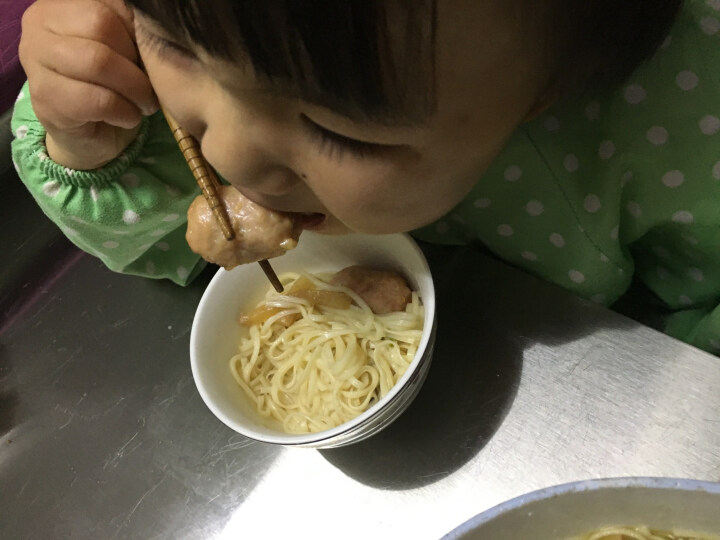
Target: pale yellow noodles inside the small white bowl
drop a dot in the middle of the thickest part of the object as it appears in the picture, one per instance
(314, 367)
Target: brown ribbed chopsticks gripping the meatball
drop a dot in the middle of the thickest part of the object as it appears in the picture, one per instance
(208, 182)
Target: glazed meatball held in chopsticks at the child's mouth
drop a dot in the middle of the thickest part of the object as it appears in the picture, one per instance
(259, 233)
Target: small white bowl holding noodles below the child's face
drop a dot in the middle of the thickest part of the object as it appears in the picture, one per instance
(215, 333)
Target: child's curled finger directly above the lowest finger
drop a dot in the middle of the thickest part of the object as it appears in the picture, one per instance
(96, 63)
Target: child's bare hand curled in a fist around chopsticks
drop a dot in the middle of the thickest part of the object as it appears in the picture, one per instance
(86, 87)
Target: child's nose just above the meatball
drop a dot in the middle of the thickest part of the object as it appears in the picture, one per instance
(248, 163)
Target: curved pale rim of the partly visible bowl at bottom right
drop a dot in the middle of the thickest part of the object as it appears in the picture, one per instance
(579, 486)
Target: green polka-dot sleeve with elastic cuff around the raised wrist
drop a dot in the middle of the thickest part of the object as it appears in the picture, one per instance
(130, 213)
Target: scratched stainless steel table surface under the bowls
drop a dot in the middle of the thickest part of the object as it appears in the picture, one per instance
(103, 434)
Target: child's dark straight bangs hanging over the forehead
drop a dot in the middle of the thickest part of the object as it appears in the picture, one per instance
(370, 59)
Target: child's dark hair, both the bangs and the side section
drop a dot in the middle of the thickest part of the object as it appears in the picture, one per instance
(375, 58)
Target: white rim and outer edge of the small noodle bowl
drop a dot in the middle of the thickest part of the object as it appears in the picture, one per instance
(317, 439)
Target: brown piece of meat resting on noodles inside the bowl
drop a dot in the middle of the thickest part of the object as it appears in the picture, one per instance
(384, 291)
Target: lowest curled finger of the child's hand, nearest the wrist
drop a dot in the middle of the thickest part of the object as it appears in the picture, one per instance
(67, 104)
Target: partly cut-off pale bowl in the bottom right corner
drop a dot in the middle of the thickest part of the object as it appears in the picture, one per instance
(570, 510)
